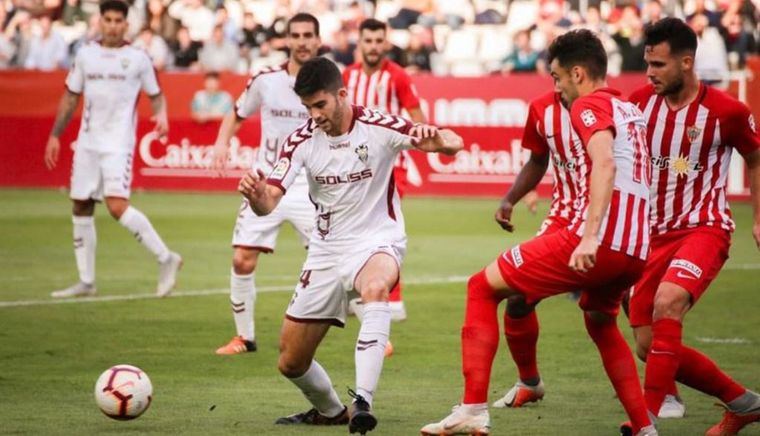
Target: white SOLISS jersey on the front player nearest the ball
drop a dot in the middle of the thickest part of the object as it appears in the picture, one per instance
(350, 183)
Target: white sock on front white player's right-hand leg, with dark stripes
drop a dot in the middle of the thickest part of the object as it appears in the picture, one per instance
(370, 347)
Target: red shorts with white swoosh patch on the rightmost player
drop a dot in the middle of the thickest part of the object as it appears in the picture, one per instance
(689, 258)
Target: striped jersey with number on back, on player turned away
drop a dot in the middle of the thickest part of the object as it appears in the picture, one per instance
(625, 227)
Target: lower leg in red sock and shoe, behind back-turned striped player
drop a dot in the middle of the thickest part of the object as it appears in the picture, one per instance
(521, 332)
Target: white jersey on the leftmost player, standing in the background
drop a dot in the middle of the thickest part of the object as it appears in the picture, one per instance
(110, 79)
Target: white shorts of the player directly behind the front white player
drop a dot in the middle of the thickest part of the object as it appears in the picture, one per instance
(260, 232)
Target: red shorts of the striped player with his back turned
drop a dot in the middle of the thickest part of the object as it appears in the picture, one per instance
(539, 269)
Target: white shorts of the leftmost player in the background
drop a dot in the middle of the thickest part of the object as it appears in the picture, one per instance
(95, 174)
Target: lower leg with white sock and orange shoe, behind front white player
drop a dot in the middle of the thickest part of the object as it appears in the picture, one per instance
(242, 301)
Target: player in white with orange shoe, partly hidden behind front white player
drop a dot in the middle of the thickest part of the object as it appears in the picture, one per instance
(269, 92)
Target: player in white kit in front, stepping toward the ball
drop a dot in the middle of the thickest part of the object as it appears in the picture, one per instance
(359, 240)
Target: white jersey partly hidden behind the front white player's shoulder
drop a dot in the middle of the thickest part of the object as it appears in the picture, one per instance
(270, 91)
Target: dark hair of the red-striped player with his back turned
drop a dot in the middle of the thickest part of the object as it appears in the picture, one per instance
(580, 48)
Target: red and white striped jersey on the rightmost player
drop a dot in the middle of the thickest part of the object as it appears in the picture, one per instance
(691, 152)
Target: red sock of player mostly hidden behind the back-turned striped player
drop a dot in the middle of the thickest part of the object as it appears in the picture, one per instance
(522, 336)
